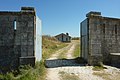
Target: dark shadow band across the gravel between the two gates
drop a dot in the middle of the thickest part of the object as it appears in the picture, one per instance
(64, 62)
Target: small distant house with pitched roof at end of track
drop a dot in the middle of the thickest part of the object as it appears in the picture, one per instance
(63, 37)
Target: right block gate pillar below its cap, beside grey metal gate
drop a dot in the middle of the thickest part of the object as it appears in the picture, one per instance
(95, 40)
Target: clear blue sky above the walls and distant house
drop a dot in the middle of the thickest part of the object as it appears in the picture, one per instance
(64, 16)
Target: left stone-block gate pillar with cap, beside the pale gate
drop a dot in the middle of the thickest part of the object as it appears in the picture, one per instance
(25, 33)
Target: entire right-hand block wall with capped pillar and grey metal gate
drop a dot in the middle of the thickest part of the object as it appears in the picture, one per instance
(100, 38)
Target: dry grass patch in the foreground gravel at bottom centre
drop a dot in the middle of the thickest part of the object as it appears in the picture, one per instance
(67, 76)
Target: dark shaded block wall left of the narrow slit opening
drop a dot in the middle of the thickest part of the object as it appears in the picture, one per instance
(7, 37)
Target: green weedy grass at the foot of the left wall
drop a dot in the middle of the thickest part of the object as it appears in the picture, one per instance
(26, 73)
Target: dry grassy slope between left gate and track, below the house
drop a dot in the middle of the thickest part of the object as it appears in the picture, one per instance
(49, 46)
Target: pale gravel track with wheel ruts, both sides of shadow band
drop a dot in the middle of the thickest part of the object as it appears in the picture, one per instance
(81, 72)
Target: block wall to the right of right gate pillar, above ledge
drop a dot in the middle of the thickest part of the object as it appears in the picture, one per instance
(111, 38)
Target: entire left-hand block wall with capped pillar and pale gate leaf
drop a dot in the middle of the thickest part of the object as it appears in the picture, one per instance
(20, 38)
